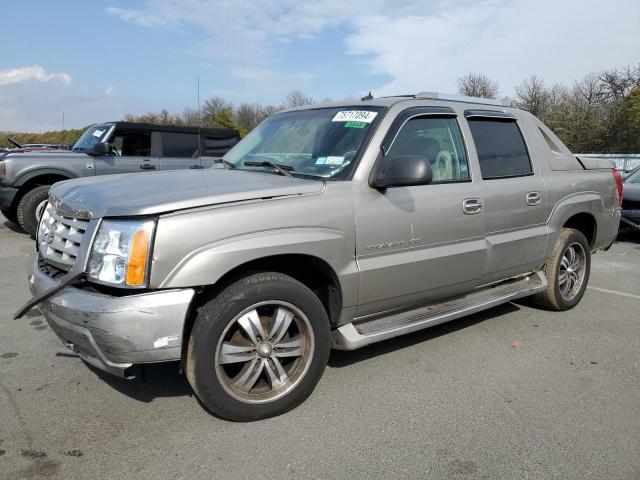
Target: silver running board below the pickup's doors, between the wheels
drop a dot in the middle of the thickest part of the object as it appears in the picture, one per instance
(361, 333)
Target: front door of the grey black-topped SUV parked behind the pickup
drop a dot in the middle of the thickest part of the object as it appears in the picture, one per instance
(130, 153)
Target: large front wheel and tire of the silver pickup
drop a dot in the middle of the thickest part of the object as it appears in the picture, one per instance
(258, 348)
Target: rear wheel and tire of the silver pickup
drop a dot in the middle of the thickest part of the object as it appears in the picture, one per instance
(566, 279)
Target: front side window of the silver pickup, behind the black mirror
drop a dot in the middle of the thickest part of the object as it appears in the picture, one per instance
(440, 141)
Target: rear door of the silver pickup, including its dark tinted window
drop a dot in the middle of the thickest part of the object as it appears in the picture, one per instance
(514, 194)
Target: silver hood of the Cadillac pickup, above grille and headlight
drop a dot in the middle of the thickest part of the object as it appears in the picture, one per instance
(151, 193)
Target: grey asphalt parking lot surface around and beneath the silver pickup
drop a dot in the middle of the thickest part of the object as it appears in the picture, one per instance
(513, 392)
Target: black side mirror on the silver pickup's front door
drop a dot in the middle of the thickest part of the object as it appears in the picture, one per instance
(402, 171)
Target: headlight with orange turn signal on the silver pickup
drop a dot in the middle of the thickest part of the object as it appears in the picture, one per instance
(120, 253)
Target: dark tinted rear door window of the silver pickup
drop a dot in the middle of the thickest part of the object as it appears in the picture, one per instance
(501, 148)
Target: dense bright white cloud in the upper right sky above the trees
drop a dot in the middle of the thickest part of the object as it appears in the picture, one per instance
(559, 41)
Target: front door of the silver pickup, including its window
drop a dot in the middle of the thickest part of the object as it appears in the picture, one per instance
(418, 244)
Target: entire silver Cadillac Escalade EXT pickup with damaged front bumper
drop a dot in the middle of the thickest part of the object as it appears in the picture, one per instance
(330, 226)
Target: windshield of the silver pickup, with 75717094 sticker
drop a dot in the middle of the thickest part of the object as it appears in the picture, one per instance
(320, 142)
